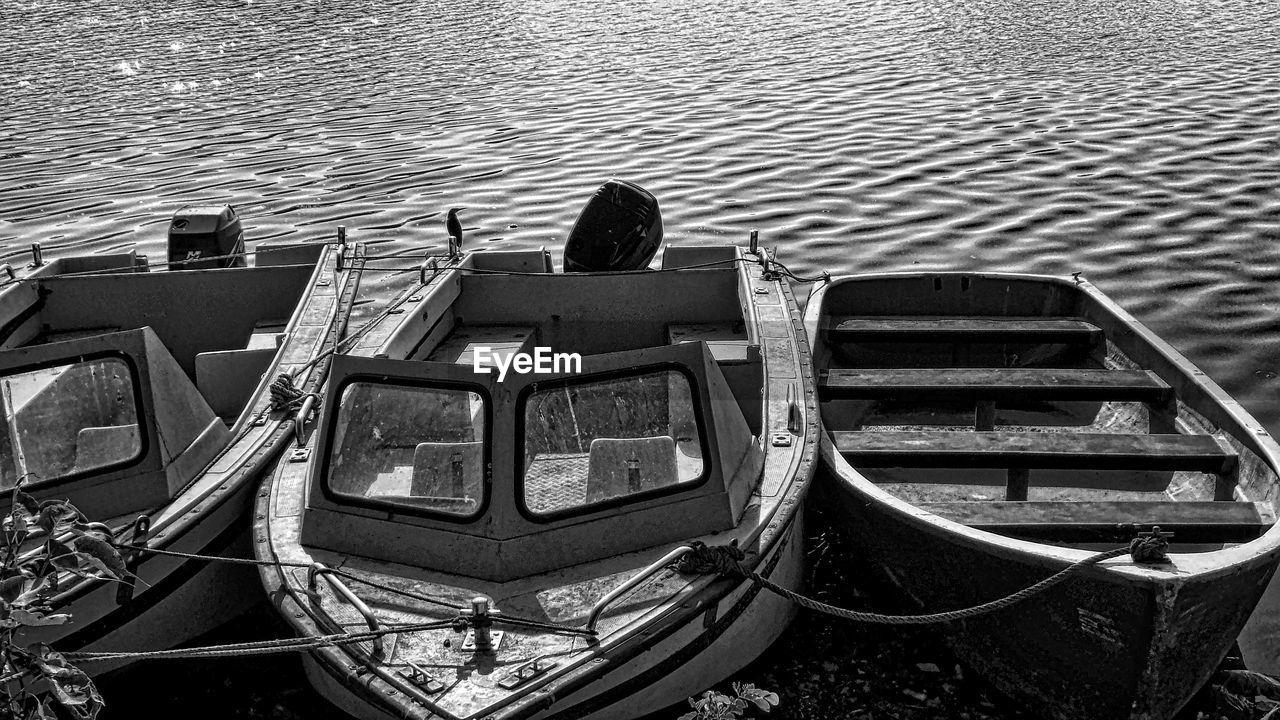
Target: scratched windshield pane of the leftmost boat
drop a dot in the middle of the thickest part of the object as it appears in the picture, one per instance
(68, 420)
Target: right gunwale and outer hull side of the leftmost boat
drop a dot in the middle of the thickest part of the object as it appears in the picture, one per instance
(176, 596)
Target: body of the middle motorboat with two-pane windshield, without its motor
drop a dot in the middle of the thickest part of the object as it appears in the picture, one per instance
(630, 634)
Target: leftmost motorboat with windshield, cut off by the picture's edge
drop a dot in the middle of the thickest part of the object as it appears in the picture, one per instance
(144, 397)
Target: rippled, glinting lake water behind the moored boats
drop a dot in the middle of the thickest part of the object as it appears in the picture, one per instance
(1131, 140)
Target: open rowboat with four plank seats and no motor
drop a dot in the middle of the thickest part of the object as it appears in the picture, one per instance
(986, 431)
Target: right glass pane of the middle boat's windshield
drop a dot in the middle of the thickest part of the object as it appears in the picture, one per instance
(593, 443)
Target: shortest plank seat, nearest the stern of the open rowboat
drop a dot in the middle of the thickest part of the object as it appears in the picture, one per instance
(963, 330)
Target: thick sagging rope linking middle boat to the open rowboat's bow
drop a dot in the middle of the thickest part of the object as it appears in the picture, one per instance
(725, 560)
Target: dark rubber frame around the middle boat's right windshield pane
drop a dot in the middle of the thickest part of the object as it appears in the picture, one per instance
(630, 499)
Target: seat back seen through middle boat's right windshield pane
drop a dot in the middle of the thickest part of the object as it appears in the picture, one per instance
(620, 467)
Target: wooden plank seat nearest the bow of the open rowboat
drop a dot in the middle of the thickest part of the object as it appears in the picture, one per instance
(1113, 521)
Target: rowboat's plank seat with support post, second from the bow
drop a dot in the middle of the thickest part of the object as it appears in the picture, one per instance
(1023, 452)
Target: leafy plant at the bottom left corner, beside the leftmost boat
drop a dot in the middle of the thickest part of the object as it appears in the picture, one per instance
(43, 543)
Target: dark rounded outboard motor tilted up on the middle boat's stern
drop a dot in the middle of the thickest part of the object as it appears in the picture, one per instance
(619, 230)
